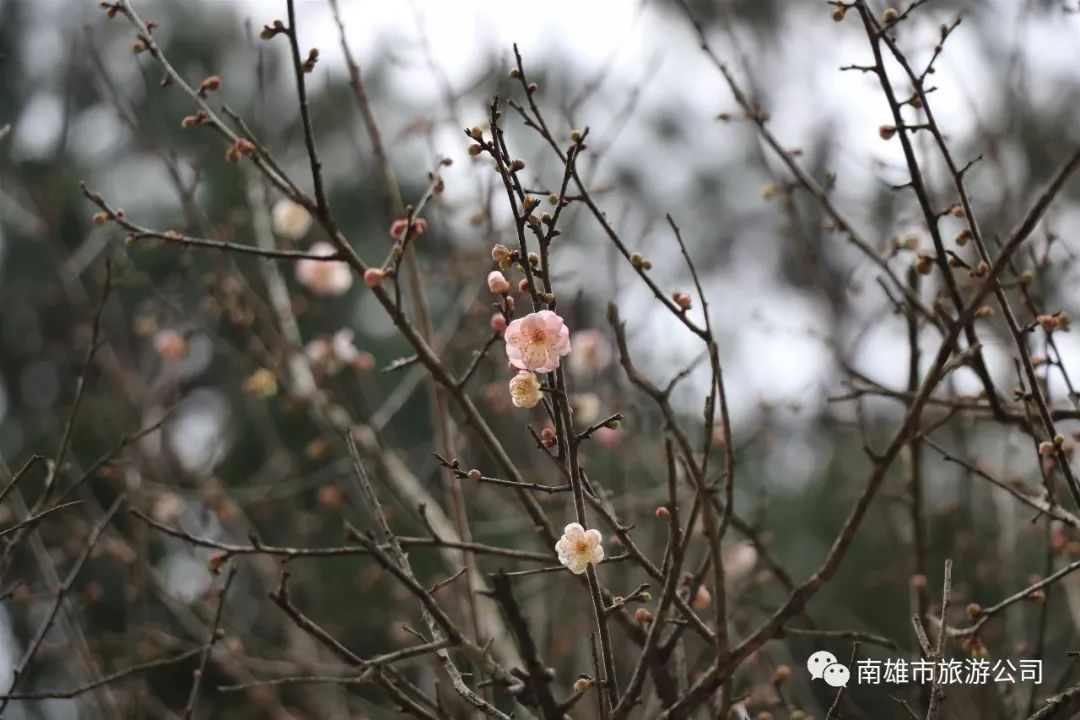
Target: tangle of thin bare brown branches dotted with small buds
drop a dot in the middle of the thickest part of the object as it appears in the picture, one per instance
(655, 651)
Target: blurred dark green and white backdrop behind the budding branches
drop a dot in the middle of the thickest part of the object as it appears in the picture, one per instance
(795, 305)
